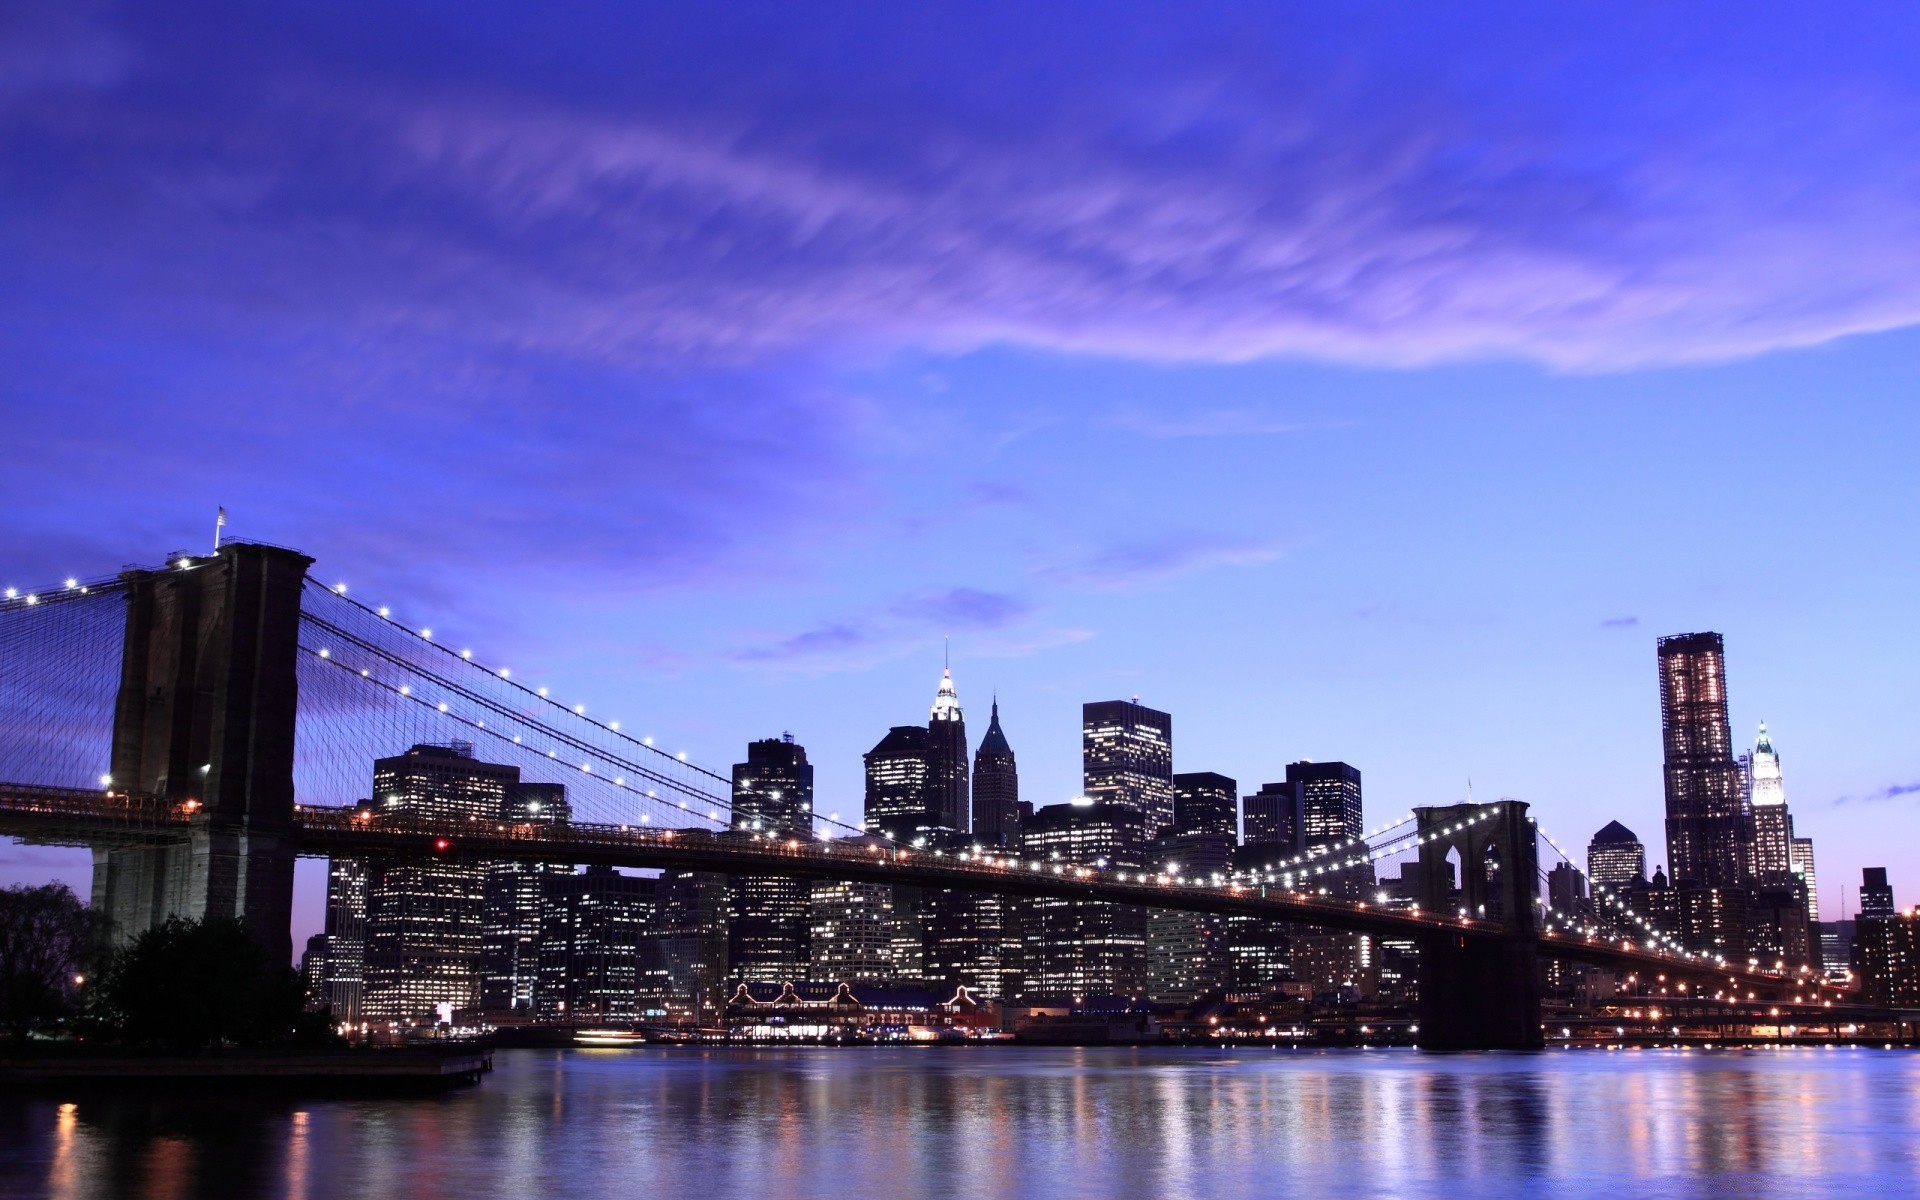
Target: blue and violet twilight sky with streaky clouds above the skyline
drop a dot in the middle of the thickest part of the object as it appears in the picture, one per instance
(1353, 381)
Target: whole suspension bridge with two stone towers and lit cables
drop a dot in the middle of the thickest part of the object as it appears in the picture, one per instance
(204, 723)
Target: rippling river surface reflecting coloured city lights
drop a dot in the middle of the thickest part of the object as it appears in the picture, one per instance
(1015, 1122)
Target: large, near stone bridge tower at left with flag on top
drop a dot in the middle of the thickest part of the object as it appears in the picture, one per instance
(206, 713)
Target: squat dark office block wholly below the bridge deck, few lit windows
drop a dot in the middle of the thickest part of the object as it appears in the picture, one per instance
(590, 959)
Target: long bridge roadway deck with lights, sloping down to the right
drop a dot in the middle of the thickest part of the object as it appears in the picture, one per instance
(87, 819)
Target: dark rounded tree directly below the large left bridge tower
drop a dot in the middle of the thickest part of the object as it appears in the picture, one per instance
(203, 984)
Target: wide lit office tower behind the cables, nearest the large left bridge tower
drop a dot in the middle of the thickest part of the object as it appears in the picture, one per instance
(425, 919)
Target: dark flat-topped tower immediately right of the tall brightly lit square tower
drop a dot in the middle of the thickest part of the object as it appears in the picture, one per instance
(1188, 953)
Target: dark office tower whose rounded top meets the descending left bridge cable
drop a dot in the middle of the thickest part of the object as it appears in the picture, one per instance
(769, 924)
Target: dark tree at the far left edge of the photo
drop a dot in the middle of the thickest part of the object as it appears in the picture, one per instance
(43, 944)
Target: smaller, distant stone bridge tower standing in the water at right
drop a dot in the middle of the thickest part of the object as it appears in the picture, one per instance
(1479, 994)
